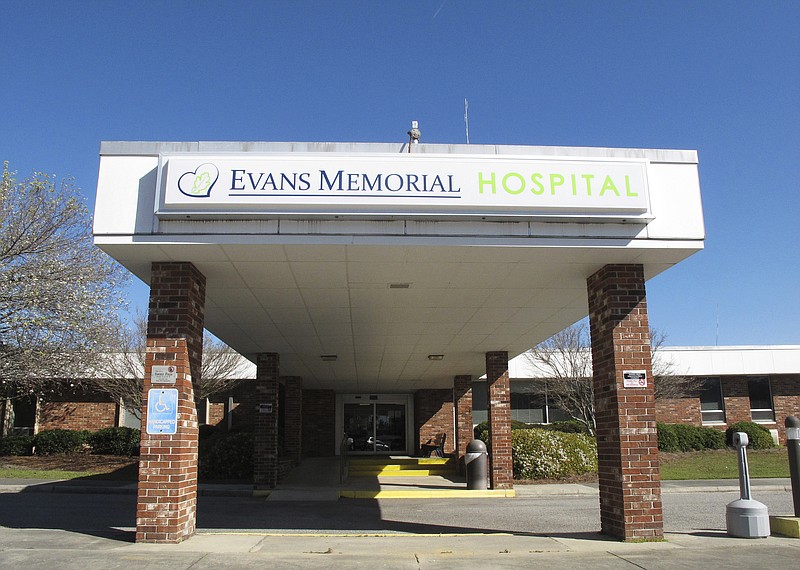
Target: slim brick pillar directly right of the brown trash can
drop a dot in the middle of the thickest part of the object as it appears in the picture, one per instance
(501, 474)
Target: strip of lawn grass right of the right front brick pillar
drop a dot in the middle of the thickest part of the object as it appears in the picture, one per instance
(723, 464)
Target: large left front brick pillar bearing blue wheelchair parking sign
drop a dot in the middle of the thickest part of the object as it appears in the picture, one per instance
(167, 491)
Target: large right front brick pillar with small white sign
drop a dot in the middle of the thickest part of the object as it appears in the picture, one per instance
(627, 442)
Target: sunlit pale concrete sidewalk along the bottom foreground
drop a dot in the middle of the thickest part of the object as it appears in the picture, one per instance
(65, 550)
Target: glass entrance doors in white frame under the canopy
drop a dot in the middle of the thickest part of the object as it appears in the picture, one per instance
(377, 424)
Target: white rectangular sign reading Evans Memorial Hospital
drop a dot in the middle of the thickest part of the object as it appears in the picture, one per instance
(480, 185)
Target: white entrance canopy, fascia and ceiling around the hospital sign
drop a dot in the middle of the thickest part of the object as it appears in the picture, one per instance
(383, 295)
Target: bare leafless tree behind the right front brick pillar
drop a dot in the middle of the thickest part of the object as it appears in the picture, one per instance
(565, 363)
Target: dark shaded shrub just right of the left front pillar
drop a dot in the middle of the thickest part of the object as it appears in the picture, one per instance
(226, 456)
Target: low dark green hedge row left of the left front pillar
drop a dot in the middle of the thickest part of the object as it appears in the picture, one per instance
(107, 441)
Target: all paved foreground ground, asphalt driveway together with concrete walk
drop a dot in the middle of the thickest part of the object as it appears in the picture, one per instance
(71, 530)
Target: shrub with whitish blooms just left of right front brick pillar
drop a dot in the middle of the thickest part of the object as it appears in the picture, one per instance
(546, 454)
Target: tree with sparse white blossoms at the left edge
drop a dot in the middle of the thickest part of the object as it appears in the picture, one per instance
(59, 294)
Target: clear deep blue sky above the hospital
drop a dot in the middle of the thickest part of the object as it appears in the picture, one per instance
(719, 77)
